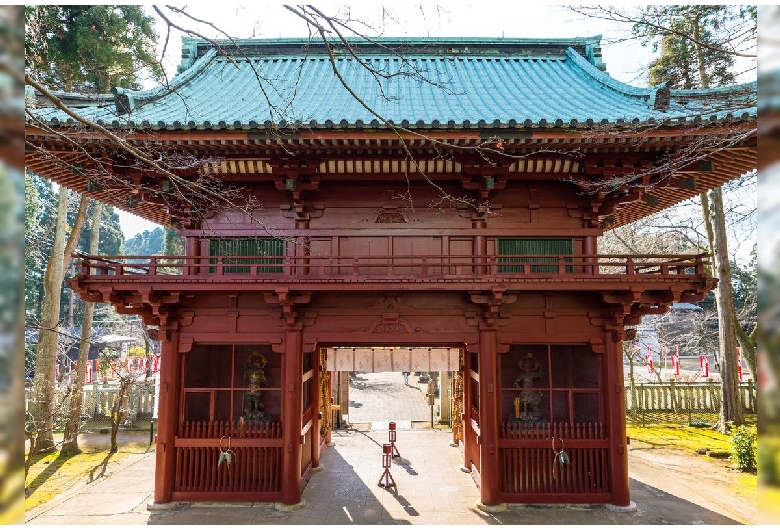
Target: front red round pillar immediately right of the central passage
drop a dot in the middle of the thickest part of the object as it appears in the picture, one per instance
(489, 390)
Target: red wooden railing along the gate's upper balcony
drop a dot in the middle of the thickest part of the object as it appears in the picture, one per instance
(313, 269)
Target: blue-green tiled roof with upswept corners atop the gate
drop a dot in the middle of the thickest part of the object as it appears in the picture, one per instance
(418, 83)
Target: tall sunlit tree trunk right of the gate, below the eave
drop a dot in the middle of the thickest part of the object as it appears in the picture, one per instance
(726, 358)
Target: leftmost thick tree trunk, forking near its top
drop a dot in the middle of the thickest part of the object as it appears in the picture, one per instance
(44, 383)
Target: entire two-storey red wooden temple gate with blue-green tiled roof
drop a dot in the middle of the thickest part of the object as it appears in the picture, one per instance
(473, 228)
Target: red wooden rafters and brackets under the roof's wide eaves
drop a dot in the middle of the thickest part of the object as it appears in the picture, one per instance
(618, 161)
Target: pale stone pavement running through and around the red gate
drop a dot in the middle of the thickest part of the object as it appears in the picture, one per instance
(430, 487)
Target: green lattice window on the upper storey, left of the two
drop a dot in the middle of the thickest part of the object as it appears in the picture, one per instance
(239, 246)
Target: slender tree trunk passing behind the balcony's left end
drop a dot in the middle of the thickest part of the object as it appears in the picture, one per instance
(70, 439)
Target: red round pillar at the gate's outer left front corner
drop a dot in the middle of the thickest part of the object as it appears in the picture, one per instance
(167, 419)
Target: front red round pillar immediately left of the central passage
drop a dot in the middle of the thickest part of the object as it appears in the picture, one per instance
(291, 417)
